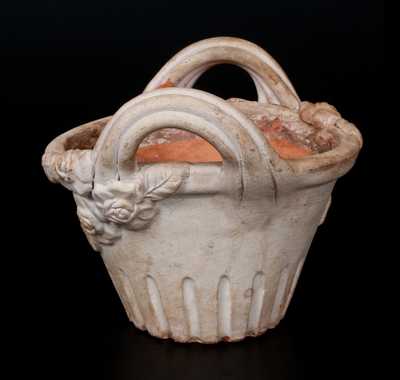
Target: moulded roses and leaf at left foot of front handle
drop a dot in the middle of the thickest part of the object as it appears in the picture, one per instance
(129, 203)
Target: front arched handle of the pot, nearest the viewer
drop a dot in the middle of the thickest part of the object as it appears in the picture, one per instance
(248, 161)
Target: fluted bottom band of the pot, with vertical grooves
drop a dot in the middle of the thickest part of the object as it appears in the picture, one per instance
(189, 312)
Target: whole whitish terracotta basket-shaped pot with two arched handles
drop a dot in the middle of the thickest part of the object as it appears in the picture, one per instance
(209, 248)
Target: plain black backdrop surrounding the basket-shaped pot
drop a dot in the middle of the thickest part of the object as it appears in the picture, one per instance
(64, 63)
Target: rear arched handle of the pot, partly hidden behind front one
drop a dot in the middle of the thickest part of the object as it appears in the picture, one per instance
(189, 64)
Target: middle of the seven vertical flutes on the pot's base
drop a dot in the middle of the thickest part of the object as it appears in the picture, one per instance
(224, 308)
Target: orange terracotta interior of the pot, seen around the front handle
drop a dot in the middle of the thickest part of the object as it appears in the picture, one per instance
(289, 136)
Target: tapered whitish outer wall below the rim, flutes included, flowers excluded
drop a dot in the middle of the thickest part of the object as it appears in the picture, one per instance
(207, 271)
